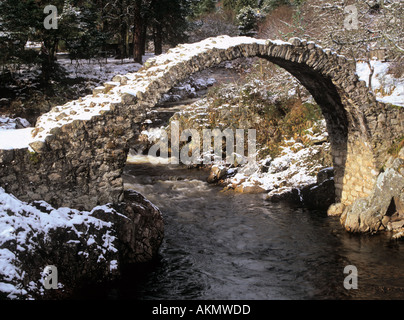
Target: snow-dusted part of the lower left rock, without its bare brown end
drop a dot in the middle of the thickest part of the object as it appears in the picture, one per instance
(32, 236)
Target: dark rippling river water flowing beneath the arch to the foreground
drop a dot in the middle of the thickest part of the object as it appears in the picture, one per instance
(238, 246)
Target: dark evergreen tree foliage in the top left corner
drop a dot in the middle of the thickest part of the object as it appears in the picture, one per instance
(76, 25)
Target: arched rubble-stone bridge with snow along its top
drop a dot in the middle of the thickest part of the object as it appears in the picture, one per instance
(77, 152)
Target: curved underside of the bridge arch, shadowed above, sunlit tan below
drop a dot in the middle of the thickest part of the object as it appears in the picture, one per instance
(353, 161)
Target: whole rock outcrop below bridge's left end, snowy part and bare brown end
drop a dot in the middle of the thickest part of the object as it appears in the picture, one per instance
(85, 247)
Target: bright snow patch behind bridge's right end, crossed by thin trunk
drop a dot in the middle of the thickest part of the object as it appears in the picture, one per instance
(387, 88)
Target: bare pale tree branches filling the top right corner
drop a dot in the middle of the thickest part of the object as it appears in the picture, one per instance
(379, 25)
